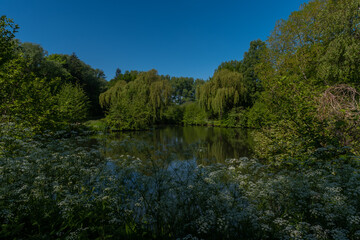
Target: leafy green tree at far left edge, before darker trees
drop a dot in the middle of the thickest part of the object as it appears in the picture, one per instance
(24, 97)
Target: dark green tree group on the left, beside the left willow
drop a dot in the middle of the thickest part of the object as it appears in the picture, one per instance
(42, 91)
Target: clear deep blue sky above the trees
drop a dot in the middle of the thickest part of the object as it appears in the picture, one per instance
(176, 37)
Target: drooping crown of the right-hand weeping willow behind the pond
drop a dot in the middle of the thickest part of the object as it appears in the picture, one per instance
(225, 90)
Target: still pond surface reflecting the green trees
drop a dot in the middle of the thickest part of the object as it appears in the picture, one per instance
(204, 145)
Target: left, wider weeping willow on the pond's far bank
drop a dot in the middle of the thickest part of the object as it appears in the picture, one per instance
(137, 104)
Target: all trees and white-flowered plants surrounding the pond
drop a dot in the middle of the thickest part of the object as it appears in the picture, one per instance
(299, 89)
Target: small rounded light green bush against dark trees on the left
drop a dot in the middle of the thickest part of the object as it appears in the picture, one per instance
(73, 103)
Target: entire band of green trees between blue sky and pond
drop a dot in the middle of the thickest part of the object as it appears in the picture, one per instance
(300, 87)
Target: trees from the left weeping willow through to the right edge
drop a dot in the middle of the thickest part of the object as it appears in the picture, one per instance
(300, 87)
